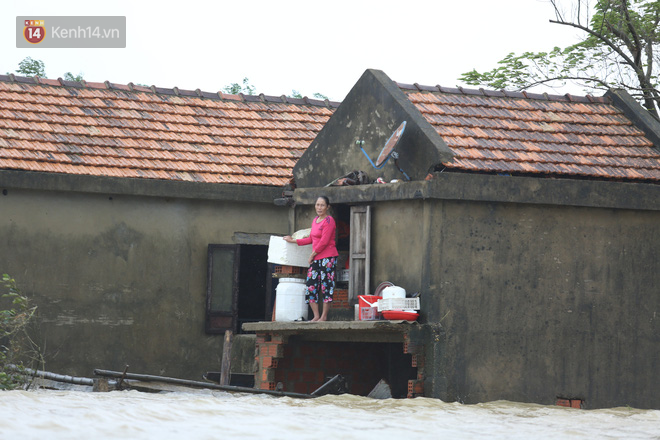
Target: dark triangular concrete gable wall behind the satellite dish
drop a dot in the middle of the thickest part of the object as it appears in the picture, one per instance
(370, 113)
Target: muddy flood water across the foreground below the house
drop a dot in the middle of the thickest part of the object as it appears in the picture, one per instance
(52, 415)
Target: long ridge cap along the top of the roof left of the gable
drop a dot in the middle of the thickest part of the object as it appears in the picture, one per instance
(174, 91)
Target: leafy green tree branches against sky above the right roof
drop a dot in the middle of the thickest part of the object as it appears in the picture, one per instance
(619, 50)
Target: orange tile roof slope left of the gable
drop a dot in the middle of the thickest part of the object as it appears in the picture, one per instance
(105, 129)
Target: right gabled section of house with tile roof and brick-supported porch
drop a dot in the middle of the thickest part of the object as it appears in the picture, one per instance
(530, 226)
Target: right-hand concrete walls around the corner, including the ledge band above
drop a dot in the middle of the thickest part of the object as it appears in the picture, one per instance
(534, 288)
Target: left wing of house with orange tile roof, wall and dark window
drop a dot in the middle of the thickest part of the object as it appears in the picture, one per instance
(124, 209)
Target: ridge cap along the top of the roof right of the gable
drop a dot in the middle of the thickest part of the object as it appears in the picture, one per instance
(459, 90)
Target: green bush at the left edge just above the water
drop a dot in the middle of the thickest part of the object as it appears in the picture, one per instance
(16, 346)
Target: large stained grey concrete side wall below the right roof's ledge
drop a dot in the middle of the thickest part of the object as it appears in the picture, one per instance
(542, 301)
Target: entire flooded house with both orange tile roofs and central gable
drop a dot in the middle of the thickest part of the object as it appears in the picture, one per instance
(528, 224)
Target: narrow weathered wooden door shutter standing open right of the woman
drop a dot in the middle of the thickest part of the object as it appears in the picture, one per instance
(359, 252)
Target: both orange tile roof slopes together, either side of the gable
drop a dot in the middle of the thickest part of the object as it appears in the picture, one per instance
(132, 131)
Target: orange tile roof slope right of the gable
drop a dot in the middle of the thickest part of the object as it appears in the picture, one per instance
(521, 133)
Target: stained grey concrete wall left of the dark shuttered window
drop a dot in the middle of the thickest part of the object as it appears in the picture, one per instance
(121, 279)
